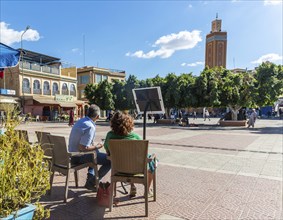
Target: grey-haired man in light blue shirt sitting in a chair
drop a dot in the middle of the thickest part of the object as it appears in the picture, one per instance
(82, 139)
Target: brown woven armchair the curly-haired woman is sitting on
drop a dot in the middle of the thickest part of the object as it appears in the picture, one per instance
(129, 164)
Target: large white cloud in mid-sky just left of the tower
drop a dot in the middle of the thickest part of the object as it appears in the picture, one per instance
(169, 44)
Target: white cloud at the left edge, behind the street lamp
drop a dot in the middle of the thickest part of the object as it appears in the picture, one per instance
(9, 36)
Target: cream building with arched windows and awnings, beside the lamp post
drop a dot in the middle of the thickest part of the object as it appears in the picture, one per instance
(42, 86)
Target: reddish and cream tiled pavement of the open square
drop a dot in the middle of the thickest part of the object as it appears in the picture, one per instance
(205, 172)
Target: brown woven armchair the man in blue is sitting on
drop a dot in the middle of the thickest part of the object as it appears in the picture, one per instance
(61, 162)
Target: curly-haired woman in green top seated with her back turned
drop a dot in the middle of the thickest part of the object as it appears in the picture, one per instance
(122, 126)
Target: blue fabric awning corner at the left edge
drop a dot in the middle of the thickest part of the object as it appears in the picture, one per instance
(9, 57)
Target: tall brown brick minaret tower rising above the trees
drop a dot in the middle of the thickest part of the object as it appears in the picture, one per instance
(216, 46)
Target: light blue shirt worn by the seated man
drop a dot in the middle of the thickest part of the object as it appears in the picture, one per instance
(83, 132)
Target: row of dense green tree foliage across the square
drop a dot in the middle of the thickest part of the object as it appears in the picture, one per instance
(216, 87)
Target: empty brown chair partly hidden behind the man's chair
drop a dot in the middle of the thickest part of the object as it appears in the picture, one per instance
(43, 140)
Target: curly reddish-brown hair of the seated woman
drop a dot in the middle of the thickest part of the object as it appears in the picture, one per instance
(122, 124)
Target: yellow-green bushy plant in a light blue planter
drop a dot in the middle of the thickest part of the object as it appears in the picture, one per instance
(24, 175)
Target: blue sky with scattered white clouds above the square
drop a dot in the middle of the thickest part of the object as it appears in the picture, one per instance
(144, 38)
